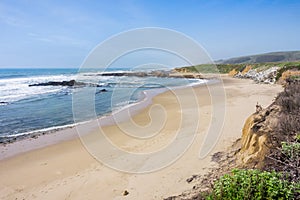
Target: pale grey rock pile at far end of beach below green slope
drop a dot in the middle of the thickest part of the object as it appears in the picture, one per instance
(266, 76)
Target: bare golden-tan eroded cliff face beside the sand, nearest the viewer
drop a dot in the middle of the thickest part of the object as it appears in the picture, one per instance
(257, 136)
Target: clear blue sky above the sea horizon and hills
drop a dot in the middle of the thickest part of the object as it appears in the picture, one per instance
(61, 33)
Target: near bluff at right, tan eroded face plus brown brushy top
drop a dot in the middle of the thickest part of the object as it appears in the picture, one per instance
(265, 130)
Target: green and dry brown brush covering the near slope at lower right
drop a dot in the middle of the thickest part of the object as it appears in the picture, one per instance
(283, 158)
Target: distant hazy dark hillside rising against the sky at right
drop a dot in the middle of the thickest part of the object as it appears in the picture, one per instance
(287, 56)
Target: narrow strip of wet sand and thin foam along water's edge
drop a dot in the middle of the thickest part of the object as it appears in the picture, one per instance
(32, 140)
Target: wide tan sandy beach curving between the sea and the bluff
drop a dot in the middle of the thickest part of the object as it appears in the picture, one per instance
(64, 169)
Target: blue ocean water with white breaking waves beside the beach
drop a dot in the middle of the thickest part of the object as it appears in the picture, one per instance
(25, 109)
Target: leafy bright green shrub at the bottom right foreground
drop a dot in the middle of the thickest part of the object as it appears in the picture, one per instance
(252, 184)
